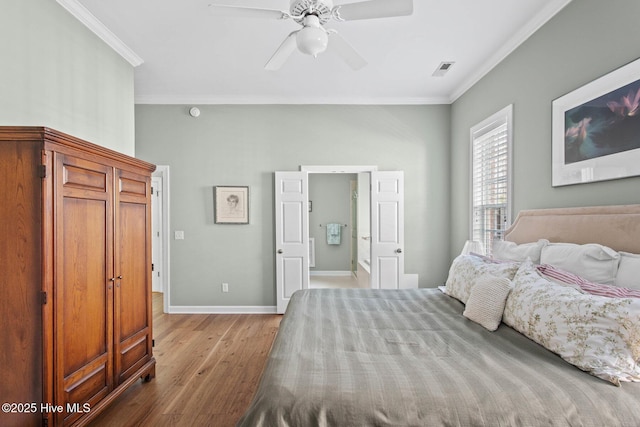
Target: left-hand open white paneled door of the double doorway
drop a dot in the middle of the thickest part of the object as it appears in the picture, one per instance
(292, 235)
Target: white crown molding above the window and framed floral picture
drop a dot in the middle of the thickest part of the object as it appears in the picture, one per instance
(512, 44)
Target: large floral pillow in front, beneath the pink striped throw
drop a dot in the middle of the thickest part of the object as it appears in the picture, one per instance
(596, 334)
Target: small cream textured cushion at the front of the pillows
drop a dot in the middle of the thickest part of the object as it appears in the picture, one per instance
(486, 301)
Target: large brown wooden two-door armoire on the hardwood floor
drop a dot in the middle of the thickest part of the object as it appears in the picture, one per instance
(75, 277)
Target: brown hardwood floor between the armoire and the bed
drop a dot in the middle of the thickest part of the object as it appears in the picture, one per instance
(208, 367)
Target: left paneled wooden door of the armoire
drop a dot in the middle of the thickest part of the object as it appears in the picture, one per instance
(83, 224)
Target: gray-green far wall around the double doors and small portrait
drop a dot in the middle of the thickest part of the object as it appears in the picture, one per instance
(244, 145)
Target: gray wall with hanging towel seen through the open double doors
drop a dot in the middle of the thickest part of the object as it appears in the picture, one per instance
(331, 197)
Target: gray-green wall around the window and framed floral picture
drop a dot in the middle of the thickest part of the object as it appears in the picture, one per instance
(586, 40)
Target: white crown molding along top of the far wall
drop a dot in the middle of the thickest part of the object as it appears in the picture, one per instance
(239, 100)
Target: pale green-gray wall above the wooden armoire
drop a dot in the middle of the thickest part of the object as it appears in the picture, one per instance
(57, 73)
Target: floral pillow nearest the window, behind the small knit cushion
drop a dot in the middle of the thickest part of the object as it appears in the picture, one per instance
(467, 269)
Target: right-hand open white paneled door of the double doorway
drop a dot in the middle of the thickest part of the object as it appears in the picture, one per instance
(387, 229)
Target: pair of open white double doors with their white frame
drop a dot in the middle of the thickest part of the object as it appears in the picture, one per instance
(386, 201)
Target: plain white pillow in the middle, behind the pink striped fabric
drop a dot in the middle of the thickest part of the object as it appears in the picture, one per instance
(594, 262)
